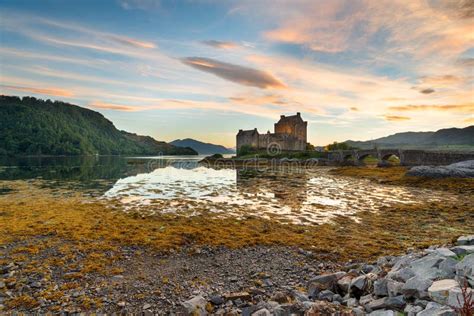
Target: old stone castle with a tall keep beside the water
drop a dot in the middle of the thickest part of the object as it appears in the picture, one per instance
(289, 135)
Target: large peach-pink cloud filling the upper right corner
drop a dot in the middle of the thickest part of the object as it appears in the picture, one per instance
(389, 29)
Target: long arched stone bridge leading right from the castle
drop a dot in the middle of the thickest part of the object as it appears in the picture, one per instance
(407, 157)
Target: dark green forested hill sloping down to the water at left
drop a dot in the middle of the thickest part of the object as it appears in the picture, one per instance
(30, 126)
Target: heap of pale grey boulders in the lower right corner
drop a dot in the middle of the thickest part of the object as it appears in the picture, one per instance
(436, 281)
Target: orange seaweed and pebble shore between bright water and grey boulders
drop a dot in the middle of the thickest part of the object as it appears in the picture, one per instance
(70, 253)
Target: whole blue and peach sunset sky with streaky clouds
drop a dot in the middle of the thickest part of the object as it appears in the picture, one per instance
(355, 69)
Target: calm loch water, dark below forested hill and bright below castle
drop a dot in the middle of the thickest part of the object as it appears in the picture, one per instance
(181, 185)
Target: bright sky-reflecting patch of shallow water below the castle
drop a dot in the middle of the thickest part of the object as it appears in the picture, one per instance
(300, 196)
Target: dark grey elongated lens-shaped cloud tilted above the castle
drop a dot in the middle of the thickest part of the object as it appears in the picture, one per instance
(235, 73)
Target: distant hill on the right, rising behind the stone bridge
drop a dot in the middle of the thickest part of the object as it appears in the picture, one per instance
(443, 138)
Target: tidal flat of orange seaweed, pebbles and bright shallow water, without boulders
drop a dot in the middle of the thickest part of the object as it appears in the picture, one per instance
(109, 247)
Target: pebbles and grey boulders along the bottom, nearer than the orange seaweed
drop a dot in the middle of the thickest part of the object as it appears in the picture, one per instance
(257, 281)
